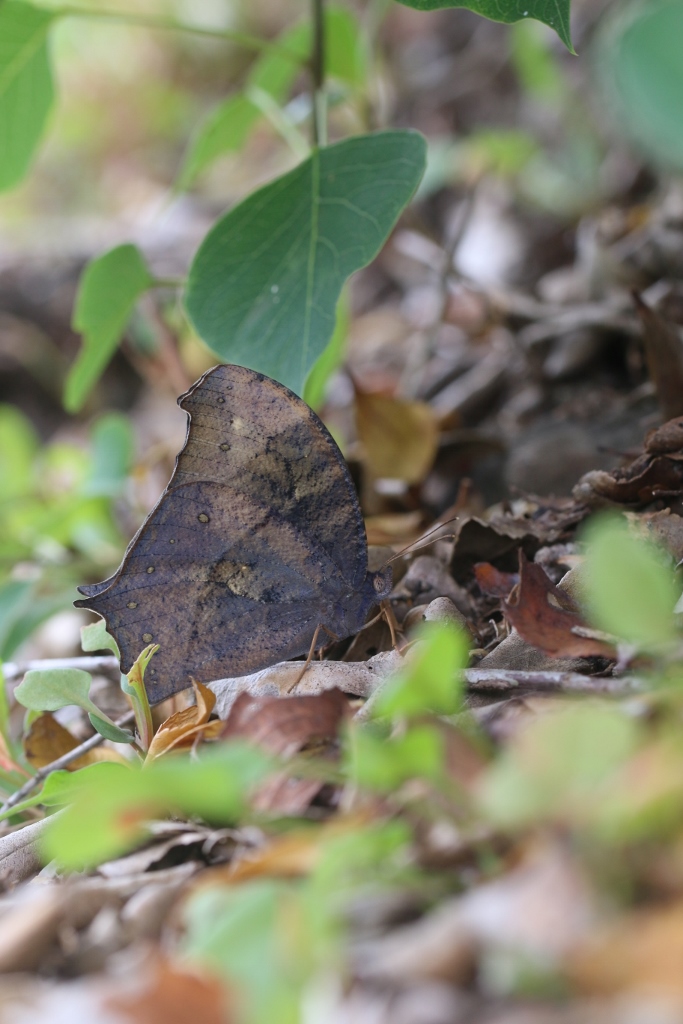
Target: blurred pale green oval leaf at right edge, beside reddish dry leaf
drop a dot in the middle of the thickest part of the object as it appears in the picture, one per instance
(630, 589)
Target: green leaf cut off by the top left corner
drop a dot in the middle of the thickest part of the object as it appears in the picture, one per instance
(27, 91)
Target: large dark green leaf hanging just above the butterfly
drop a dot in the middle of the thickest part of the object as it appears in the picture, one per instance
(265, 285)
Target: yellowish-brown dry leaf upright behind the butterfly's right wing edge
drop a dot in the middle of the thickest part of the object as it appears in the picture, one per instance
(400, 439)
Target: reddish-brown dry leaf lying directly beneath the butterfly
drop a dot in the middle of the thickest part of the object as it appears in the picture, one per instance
(285, 726)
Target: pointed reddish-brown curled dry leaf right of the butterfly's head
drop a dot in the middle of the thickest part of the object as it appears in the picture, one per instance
(544, 625)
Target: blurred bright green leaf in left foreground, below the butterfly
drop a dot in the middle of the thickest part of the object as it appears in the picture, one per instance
(109, 813)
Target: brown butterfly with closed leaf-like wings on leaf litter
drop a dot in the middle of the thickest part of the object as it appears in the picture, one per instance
(255, 546)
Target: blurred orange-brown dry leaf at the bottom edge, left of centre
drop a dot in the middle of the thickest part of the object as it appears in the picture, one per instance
(175, 996)
